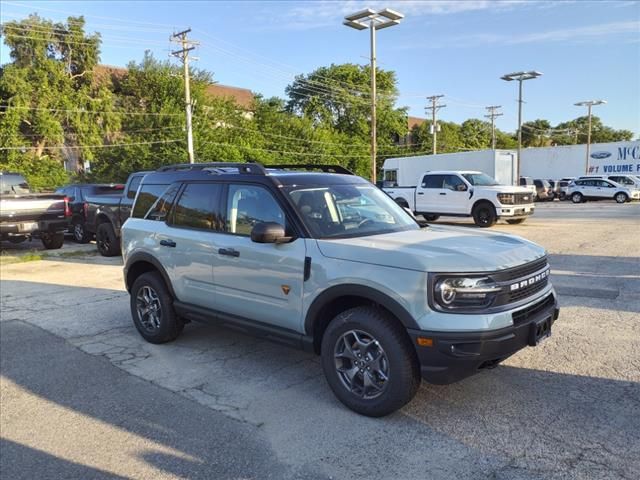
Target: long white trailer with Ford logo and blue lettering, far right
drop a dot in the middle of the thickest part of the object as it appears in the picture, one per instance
(571, 161)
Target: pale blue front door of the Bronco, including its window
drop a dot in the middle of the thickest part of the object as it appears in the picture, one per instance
(258, 281)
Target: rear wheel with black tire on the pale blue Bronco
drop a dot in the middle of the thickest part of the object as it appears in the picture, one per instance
(168, 326)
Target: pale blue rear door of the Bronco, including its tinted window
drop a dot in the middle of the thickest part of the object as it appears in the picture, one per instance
(186, 243)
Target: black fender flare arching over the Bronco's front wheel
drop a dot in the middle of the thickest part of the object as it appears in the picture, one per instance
(355, 290)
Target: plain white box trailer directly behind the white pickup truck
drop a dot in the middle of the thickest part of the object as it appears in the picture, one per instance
(405, 171)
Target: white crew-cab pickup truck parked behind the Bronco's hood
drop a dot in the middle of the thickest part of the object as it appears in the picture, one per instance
(465, 194)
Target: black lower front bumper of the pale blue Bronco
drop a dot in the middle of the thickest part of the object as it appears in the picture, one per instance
(454, 356)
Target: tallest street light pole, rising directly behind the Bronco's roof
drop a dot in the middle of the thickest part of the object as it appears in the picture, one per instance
(373, 21)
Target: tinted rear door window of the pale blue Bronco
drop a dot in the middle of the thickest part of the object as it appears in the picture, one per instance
(198, 207)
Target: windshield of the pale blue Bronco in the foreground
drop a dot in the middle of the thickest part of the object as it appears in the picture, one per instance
(339, 211)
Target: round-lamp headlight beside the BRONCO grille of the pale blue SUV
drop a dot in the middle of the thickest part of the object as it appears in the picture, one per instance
(460, 293)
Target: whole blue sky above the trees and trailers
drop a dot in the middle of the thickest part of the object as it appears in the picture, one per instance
(585, 49)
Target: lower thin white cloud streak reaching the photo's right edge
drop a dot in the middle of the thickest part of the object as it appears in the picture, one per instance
(581, 34)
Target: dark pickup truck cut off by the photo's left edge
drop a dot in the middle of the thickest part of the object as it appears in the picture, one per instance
(25, 215)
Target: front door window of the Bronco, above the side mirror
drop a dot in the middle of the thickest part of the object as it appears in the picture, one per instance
(248, 205)
